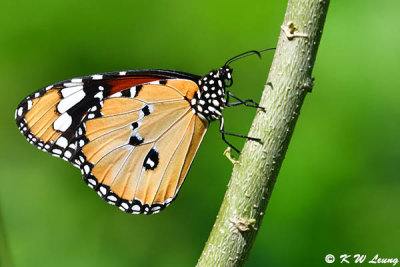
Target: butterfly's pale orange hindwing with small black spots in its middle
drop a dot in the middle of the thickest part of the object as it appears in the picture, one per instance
(136, 150)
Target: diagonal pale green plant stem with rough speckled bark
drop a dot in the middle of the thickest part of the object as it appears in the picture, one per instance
(253, 178)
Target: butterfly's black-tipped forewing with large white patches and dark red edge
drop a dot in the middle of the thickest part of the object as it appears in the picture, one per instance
(48, 118)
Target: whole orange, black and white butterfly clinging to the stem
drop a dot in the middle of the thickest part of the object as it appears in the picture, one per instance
(133, 134)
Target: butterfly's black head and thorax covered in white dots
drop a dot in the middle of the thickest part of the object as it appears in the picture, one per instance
(209, 100)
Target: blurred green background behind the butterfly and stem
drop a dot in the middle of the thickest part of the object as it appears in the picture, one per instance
(338, 190)
